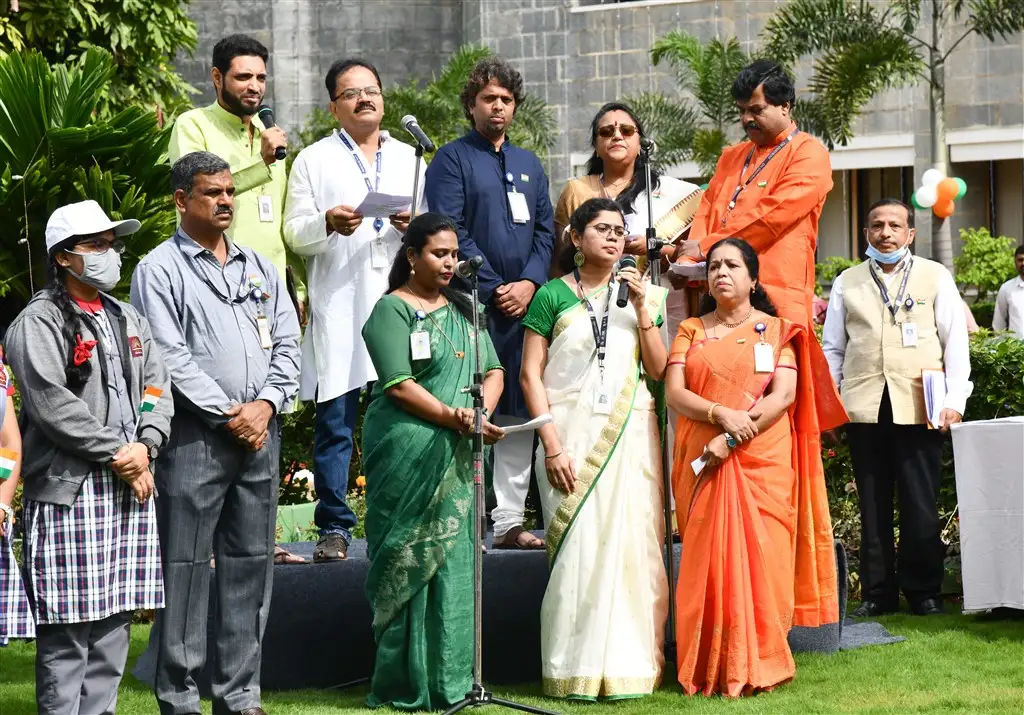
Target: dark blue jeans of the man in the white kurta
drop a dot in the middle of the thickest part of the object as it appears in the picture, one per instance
(333, 443)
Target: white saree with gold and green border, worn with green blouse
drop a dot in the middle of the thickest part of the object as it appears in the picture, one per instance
(603, 621)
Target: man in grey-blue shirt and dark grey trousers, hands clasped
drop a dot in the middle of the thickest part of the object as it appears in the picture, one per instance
(230, 337)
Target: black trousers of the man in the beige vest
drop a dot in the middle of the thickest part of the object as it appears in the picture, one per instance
(910, 459)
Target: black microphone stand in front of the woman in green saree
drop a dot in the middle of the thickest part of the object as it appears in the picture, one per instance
(479, 695)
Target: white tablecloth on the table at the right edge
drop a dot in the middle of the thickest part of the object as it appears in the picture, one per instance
(990, 460)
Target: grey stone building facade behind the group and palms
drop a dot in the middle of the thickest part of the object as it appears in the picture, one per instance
(577, 55)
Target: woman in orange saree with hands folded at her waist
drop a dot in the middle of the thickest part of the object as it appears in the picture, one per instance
(758, 555)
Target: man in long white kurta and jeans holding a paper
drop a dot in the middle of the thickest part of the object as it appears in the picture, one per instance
(349, 258)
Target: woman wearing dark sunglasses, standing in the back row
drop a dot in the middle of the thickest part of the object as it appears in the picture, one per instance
(616, 171)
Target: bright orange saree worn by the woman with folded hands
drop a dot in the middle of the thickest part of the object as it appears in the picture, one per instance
(758, 555)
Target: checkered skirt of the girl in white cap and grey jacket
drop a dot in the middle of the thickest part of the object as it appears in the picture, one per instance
(98, 558)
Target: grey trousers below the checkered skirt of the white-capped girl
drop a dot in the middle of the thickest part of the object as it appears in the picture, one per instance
(79, 665)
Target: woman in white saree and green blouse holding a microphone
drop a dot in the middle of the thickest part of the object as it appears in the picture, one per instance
(587, 362)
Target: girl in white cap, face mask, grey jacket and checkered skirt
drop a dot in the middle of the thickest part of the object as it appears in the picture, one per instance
(94, 419)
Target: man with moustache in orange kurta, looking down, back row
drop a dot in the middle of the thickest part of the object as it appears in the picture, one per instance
(770, 191)
